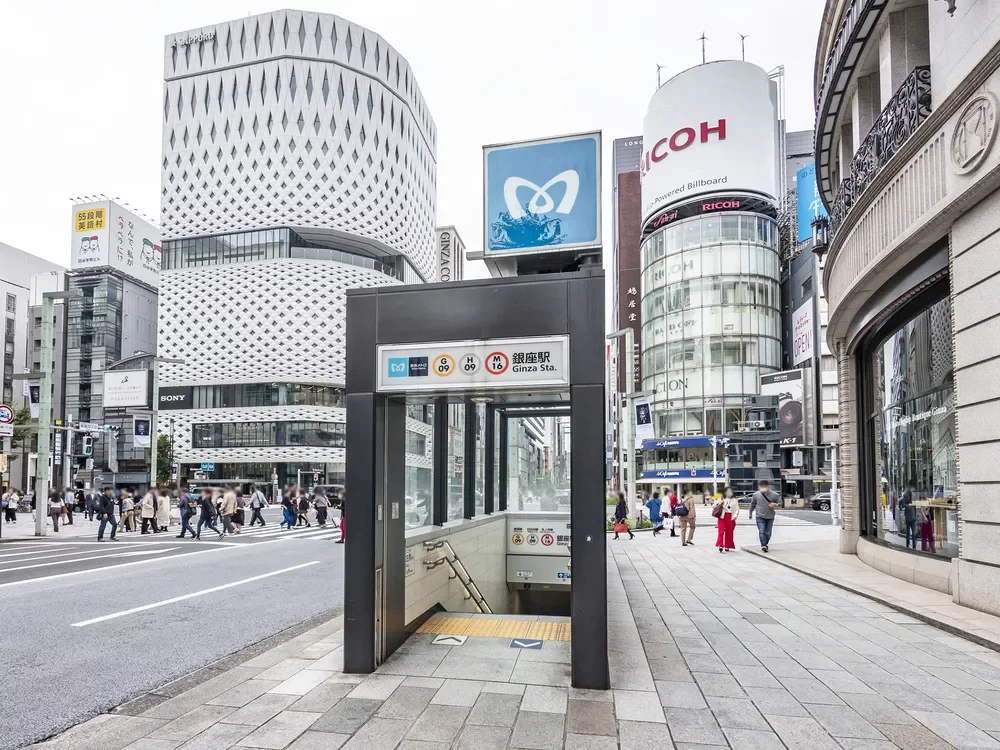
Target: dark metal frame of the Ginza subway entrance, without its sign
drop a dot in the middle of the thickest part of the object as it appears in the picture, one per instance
(569, 304)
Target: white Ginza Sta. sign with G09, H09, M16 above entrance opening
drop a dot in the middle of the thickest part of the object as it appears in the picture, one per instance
(541, 361)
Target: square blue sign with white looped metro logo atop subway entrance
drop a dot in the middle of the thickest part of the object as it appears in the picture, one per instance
(542, 195)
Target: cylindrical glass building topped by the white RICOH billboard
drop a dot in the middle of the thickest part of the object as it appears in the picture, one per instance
(710, 269)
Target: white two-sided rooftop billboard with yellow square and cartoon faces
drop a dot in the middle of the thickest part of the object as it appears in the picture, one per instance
(107, 235)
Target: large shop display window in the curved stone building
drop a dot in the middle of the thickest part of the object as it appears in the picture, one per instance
(910, 482)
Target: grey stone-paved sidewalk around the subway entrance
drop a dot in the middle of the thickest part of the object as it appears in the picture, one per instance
(706, 650)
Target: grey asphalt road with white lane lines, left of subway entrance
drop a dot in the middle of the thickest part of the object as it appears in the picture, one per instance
(74, 645)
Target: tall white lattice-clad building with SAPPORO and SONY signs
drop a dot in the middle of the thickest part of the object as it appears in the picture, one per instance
(298, 162)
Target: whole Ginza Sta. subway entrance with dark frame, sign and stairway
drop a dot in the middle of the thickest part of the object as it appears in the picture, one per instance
(524, 357)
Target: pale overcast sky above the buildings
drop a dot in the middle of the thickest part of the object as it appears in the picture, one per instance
(81, 111)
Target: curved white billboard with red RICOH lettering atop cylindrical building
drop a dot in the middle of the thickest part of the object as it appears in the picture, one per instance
(711, 128)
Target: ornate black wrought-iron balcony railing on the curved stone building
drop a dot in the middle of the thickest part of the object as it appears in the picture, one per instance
(909, 106)
